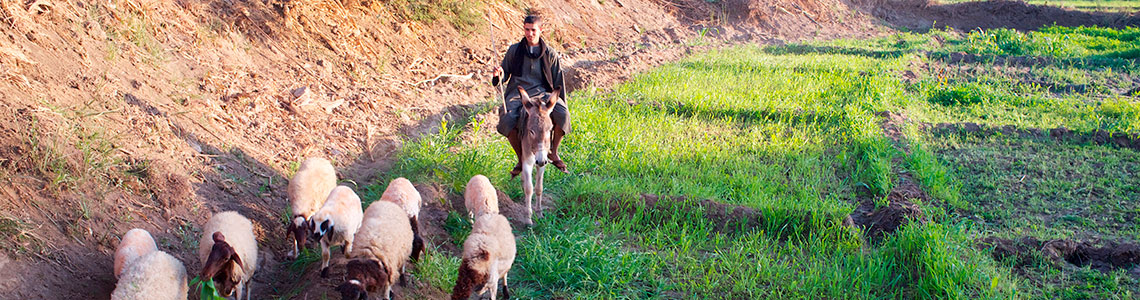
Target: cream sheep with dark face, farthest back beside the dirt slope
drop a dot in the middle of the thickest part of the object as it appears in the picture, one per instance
(307, 193)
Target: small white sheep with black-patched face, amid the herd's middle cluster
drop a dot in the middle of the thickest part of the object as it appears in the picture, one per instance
(337, 224)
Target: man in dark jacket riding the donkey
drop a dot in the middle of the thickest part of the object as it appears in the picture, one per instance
(532, 69)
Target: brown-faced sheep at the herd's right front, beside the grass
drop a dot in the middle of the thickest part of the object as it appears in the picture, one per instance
(487, 257)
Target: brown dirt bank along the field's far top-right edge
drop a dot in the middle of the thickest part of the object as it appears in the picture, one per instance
(999, 14)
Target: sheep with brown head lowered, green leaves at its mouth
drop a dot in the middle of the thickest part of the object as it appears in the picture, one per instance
(229, 252)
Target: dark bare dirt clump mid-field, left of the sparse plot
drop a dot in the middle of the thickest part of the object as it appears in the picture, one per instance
(899, 212)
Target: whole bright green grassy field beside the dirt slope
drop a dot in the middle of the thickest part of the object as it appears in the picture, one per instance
(794, 132)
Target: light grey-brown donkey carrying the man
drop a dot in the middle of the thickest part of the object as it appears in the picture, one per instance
(536, 144)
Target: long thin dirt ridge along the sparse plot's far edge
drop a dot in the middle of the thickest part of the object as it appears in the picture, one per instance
(1060, 134)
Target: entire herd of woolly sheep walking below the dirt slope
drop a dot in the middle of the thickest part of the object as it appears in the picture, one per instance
(380, 241)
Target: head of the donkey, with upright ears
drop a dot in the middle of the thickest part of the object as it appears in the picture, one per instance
(536, 136)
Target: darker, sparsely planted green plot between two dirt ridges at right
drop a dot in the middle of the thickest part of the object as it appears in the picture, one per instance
(1041, 188)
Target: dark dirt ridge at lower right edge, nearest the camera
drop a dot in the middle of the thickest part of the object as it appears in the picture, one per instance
(1104, 256)
